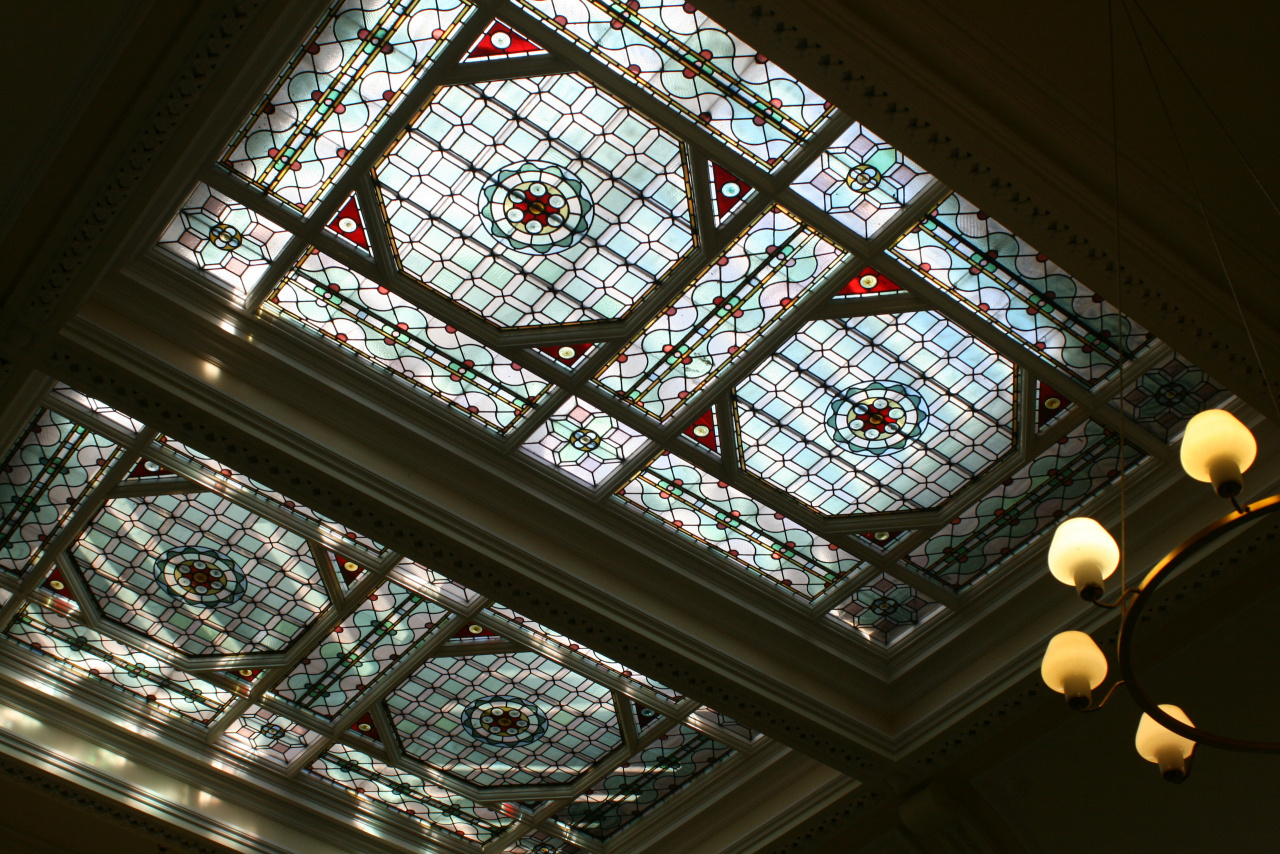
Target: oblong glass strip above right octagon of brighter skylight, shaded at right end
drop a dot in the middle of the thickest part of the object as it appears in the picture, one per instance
(979, 262)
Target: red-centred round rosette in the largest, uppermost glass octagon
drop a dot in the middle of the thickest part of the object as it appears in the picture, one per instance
(537, 208)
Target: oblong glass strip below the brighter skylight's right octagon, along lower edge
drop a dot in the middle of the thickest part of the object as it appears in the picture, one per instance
(720, 517)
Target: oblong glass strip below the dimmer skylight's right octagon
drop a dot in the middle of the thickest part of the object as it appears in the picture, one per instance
(409, 794)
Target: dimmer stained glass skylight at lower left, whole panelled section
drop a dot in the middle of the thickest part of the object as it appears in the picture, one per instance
(200, 597)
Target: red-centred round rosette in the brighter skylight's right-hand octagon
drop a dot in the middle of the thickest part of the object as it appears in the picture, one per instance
(876, 418)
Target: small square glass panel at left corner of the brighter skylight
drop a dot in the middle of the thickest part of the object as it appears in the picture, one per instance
(225, 239)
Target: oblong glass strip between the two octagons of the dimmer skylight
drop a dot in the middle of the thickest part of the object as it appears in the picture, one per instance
(360, 650)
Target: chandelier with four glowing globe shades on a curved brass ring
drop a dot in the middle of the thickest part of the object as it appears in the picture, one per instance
(1217, 449)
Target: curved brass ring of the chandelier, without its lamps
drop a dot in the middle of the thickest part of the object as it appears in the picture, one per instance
(1130, 627)
